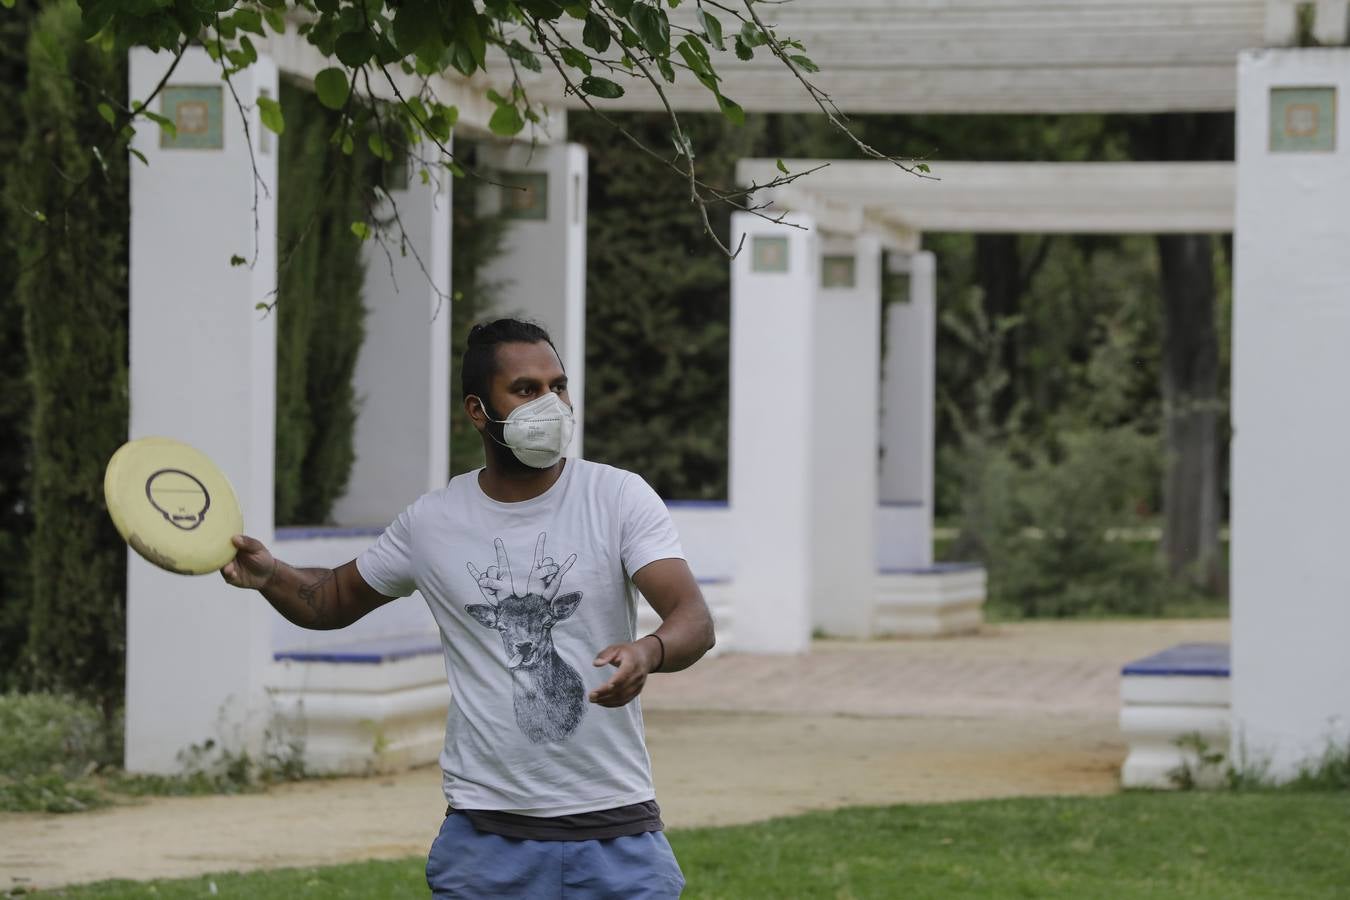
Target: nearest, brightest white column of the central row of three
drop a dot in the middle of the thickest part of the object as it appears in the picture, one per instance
(773, 361)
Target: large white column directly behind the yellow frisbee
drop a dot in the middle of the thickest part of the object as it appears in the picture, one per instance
(203, 370)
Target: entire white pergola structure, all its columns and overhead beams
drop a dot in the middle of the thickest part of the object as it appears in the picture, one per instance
(801, 535)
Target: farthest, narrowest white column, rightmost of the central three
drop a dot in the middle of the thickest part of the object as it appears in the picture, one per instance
(908, 403)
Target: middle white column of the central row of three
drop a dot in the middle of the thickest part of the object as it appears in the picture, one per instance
(843, 420)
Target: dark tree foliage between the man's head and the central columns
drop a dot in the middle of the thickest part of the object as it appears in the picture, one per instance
(658, 312)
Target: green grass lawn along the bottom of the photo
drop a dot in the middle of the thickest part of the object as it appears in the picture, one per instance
(1133, 845)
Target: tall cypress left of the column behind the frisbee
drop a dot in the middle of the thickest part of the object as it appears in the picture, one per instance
(74, 289)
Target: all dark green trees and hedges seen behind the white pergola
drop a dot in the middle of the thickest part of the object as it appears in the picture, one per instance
(1054, 419)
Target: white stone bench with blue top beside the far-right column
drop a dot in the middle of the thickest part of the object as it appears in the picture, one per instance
(1167, 701)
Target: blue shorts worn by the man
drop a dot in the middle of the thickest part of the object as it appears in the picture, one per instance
(466, 864)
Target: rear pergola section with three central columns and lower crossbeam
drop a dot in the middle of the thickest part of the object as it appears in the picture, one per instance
(813, 515)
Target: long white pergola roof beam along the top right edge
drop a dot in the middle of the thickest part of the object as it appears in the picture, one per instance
(996, 56)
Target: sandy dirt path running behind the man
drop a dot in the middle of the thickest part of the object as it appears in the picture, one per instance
(1019, 710)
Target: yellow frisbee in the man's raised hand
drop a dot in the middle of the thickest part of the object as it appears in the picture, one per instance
(172, 505)
